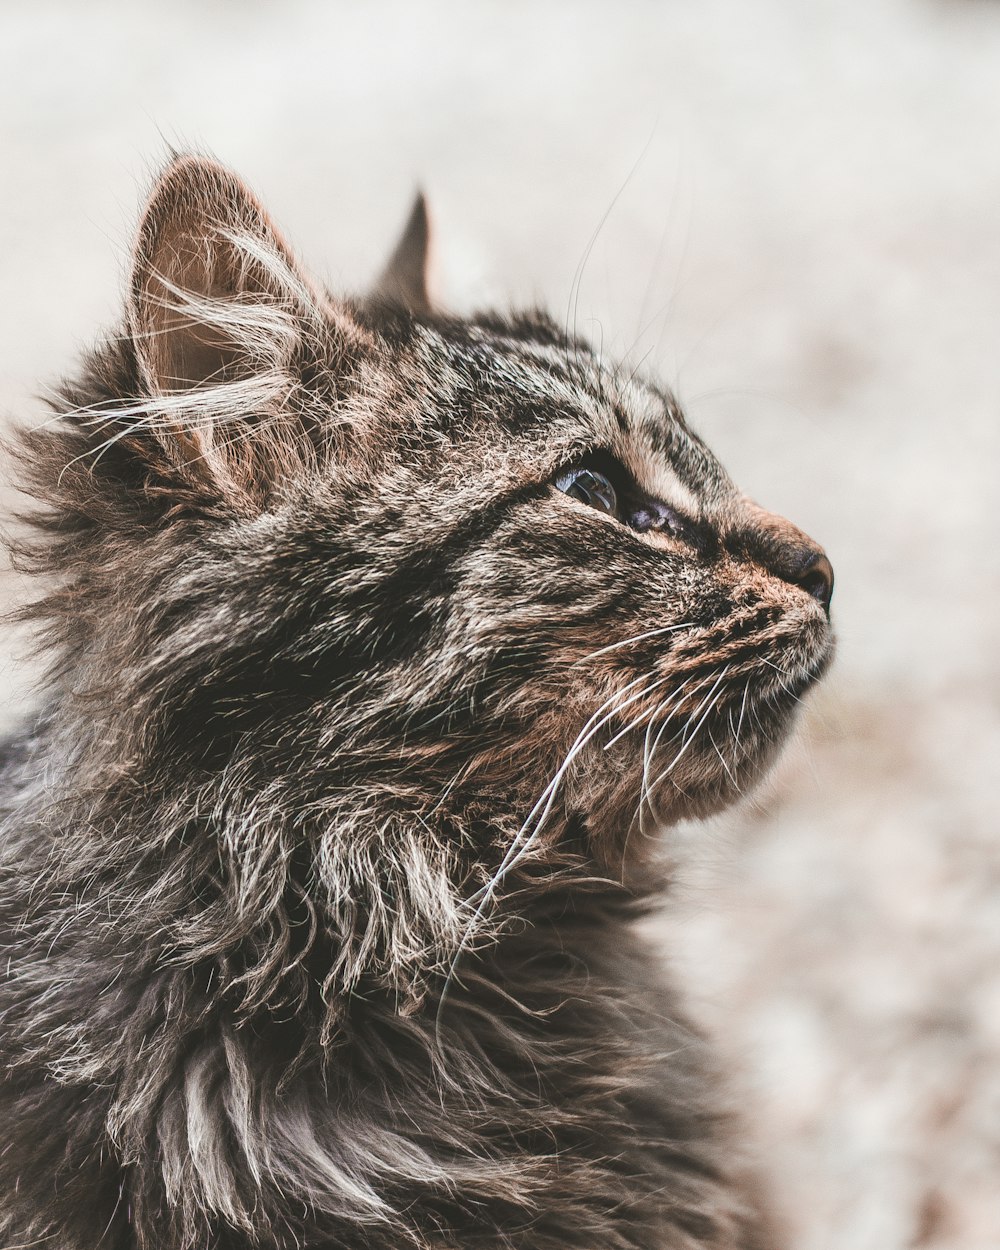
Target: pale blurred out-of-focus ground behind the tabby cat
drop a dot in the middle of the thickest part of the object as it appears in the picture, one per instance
(799, 212)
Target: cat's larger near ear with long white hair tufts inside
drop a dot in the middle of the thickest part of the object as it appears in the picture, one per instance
(221, 316)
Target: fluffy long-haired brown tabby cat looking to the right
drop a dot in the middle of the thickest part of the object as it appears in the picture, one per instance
(382, 648)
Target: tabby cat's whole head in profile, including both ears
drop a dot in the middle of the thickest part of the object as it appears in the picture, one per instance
(449, 569)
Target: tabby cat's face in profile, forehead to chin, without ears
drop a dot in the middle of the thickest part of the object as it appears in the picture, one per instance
(599, 604)
